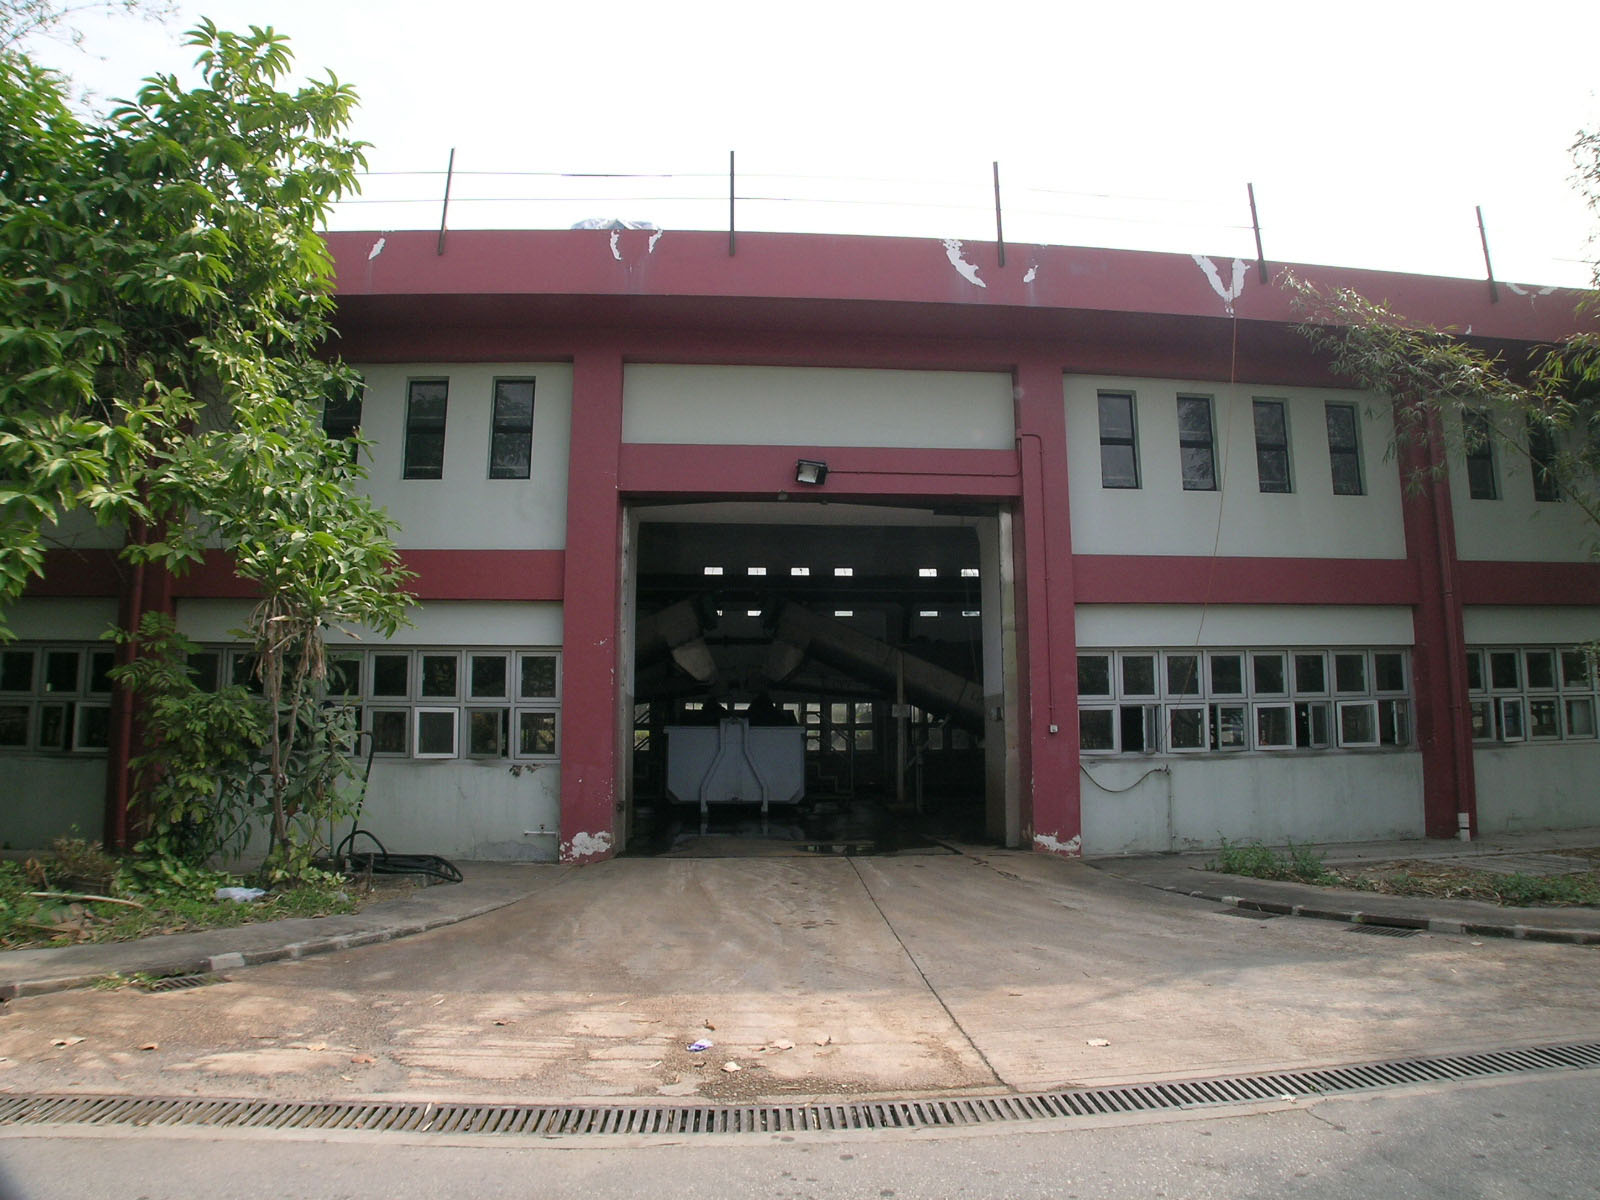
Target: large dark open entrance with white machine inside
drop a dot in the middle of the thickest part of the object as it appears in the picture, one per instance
(822, 674)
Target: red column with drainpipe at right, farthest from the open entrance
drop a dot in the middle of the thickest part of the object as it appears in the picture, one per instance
(1444, 721)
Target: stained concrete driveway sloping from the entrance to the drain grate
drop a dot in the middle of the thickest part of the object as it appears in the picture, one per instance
(982, 972)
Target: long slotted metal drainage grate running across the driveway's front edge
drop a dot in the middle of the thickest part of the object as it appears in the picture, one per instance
(567, 1121)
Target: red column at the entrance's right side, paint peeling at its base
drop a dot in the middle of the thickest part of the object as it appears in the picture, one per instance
(1047, 641)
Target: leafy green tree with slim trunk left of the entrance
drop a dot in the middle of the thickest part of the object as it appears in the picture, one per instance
(166, 303)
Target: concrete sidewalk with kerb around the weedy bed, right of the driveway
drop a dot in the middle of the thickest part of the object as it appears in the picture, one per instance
(1188, 876)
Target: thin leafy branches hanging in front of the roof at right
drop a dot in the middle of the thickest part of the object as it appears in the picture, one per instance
(1543, 409)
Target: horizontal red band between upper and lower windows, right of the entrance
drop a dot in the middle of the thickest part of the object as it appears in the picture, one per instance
(1185, 580)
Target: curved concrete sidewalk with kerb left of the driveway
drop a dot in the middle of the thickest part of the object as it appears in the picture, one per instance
(484, 889)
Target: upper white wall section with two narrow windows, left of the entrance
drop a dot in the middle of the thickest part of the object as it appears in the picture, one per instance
(466, 510)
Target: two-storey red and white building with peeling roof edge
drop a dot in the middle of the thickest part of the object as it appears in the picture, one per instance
(1087, 546)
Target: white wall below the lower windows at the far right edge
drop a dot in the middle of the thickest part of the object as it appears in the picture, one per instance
(1538, 786)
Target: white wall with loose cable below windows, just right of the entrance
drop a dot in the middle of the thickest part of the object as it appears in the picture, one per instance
(1271, 798)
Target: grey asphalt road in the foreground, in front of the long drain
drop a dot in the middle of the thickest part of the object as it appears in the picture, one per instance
(1532, 1137)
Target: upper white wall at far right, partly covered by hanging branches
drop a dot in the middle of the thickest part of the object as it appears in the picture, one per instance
(1516, 527)
